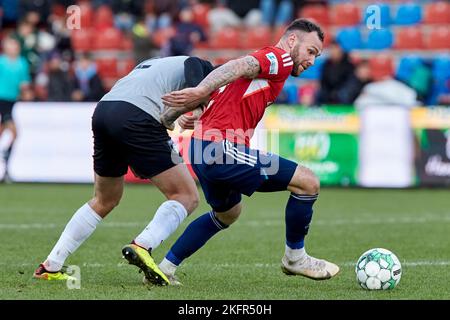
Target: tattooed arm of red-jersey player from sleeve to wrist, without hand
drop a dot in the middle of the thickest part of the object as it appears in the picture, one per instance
(247, 66)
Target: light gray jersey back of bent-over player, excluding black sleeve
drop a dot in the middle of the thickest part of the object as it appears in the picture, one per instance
(150, 80)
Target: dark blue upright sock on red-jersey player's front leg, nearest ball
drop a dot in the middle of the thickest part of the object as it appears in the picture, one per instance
(298, 216)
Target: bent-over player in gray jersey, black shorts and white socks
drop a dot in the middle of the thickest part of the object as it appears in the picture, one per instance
(128, 133)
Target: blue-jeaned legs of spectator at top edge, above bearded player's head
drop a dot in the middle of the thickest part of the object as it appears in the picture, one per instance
(277, 12)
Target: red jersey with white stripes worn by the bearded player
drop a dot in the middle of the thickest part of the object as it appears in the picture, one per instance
(234, 110)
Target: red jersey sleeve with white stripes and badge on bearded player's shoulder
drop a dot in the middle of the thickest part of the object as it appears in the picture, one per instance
(274, 65)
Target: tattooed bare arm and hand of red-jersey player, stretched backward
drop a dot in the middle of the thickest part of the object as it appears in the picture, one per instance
(190, 98)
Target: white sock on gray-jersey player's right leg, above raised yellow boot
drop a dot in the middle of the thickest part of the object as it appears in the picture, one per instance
(166, 220)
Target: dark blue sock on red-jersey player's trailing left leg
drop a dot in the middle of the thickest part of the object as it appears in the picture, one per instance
(194, 237)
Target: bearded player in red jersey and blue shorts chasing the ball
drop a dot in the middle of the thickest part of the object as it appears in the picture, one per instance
(226, 166)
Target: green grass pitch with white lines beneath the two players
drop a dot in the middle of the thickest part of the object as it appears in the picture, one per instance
(242, 262)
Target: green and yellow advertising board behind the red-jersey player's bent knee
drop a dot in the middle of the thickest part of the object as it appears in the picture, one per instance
(324, 140)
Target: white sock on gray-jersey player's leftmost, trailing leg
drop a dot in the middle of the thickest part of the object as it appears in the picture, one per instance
(79, 228)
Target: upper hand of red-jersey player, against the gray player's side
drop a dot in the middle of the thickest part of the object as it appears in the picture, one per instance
(188, 98)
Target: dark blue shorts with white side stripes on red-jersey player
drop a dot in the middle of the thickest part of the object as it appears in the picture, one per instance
(226, 171)
